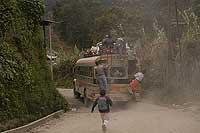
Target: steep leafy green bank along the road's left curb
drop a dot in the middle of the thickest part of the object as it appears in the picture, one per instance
(26, 91)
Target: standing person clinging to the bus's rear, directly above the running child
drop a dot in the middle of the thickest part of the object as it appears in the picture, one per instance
(101, 75)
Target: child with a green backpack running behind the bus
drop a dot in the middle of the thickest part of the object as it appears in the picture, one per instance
(104, 103)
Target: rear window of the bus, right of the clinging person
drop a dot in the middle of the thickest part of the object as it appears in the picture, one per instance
(117, 72)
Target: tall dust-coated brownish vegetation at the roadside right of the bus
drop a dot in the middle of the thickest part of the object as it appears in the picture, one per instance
(171, 58)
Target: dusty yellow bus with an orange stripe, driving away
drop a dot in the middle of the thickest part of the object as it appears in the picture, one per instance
(85, 81)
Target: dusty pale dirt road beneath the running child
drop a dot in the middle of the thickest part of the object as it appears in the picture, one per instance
(140, 117)
